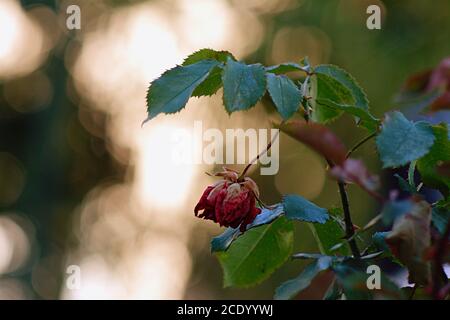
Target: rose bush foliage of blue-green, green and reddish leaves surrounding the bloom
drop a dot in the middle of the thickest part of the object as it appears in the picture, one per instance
(325, 93)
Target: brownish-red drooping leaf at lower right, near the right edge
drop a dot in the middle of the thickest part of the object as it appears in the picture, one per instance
(410, 240)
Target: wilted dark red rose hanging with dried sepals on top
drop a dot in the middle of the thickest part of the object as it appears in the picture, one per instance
(230, 202)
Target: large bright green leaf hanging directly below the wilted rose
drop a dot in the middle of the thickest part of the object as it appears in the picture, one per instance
(255, 255)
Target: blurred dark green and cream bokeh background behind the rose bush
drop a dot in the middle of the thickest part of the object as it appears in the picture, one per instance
(82, 183)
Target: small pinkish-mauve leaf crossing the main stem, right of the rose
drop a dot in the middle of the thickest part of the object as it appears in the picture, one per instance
(354, 171)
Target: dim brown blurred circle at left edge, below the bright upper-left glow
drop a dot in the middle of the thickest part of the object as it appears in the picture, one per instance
(29, 94)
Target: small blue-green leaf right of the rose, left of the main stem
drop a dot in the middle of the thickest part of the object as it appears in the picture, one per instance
(298, 208)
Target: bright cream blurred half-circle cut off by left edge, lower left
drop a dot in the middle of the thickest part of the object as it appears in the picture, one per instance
(14, 245)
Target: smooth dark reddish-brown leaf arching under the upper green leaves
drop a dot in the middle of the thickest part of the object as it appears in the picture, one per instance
(317, 137)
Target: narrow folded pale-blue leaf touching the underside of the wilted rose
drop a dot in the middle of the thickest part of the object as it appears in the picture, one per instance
(223, 241)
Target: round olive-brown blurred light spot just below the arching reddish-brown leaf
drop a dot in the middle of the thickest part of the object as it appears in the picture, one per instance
(307, 179)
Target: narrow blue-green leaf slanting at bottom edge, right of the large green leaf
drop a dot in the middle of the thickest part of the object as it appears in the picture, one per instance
(291, 288)
